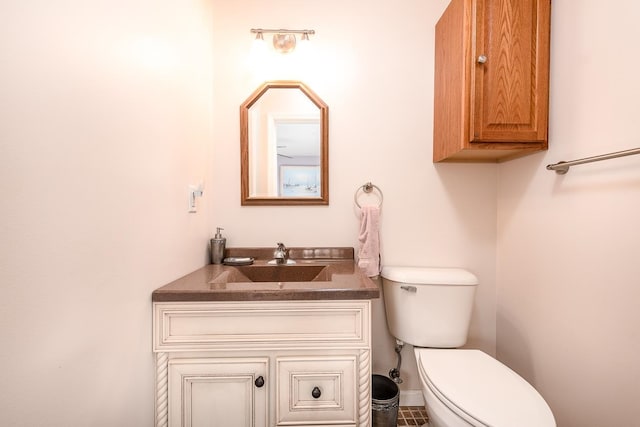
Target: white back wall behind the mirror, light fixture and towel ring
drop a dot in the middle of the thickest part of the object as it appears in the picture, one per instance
(372, 63)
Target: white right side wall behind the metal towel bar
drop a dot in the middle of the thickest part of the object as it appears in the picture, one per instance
(568, 245)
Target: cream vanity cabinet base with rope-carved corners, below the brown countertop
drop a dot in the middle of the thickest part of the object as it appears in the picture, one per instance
(263, 363)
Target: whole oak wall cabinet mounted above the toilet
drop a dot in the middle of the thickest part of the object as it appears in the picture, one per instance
(491, 96)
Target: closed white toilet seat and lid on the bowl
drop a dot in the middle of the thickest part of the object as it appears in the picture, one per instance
(481, 390)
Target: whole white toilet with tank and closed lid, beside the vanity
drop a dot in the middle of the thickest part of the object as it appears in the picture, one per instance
(430, 308)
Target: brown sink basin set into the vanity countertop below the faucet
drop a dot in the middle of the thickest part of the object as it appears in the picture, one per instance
(284, 273)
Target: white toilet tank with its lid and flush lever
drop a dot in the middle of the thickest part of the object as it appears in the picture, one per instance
(429, 307)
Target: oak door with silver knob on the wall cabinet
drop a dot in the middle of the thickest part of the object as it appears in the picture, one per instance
(510, 83)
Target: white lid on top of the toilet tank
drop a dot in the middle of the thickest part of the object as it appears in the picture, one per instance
(429, 275)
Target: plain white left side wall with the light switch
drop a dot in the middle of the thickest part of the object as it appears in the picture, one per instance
(104, 122)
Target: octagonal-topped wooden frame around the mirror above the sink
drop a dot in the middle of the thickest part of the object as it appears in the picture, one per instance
(246, 198)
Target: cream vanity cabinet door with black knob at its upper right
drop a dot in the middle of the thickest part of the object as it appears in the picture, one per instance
(218, 392)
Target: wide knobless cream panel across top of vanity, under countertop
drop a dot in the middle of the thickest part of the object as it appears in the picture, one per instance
(193, 326)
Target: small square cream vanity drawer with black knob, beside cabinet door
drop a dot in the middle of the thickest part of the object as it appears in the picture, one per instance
(316, 390)
